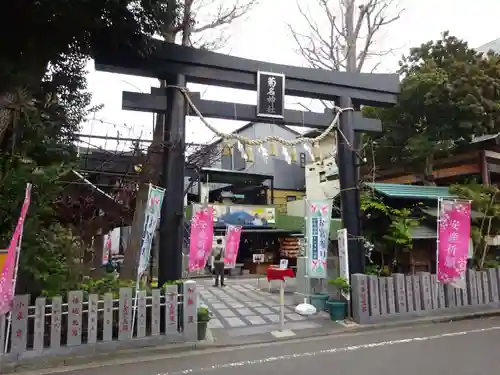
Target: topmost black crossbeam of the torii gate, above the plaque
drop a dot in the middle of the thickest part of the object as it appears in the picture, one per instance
(217, 69)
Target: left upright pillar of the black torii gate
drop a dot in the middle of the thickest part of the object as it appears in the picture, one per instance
(172, 215)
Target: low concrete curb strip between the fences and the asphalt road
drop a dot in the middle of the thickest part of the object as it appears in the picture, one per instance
(146, 354)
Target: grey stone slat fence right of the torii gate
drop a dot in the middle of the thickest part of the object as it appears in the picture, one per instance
(399, 297)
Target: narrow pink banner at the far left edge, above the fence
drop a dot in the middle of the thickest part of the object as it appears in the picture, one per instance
(7, 283)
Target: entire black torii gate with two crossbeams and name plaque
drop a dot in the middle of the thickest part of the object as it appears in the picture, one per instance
(178, 64)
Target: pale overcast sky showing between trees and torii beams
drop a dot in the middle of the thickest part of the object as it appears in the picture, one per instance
(263, 35)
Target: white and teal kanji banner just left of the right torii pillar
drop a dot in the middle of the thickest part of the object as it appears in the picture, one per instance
(319, 213)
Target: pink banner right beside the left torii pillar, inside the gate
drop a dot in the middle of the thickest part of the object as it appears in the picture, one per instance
(200, 243)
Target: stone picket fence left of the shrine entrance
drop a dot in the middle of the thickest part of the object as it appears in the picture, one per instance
(55, 327)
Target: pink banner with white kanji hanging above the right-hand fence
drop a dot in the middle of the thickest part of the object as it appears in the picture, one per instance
(453, 241)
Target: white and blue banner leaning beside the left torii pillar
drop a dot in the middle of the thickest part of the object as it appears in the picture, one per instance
(151, 219)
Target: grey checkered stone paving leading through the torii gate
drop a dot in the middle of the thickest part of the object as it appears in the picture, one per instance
(240, 308)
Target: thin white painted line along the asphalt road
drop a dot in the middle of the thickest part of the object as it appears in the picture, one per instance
(325, 351)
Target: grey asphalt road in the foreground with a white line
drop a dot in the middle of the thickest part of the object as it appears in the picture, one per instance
(460, 348)
